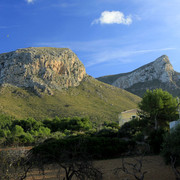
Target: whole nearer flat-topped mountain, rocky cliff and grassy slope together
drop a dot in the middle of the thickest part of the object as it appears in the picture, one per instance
(49, 82)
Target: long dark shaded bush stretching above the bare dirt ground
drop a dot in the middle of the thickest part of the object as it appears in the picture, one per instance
(96, 147)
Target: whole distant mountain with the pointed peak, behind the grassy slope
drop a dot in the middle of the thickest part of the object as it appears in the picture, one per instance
(157, 74)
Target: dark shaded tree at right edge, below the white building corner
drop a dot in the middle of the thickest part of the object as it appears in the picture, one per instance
(171, 150)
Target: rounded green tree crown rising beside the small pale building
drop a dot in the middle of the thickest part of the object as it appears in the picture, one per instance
(159, 107)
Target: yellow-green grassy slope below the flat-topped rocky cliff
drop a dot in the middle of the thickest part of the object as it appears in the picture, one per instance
(91, 98)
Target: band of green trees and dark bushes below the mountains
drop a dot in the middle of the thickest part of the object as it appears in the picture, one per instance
(73, 143)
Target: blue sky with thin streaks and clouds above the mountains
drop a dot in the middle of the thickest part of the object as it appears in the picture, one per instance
(109, 36)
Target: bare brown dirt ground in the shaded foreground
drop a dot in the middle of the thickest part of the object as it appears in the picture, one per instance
(154, 165)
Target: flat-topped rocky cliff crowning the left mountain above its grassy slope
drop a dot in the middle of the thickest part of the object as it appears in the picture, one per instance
(41, 68)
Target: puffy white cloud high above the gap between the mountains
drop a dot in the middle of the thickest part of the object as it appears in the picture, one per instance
(113, 17)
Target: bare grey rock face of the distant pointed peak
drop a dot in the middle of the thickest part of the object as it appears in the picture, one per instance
(160, 69)
